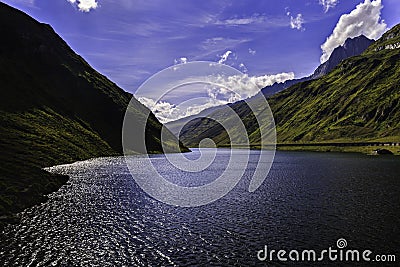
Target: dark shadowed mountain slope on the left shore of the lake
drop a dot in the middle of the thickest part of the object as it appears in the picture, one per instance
(54, 109)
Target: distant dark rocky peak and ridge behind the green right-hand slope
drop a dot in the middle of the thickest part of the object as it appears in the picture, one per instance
(352, 47)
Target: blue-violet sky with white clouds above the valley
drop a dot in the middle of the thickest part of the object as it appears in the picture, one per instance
(267, 41)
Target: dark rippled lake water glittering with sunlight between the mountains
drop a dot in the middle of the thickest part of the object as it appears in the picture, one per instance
(308, 201)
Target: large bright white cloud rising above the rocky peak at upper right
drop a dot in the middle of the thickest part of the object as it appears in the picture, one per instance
(364, 19)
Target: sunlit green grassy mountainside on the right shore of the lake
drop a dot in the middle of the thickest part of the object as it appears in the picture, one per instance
(358, 100)
